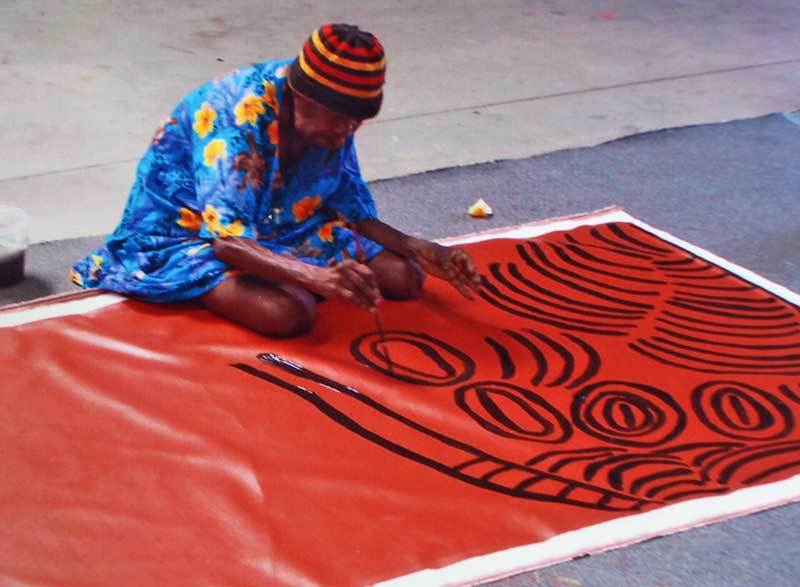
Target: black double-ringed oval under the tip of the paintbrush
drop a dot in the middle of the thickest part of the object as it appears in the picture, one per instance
(450, 366)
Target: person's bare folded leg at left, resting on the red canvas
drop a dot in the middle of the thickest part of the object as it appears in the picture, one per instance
(273, 309)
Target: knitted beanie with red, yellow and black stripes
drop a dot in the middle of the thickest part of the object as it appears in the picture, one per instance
(342, 68)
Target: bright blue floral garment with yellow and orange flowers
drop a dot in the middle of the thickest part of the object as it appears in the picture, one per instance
(213, 169)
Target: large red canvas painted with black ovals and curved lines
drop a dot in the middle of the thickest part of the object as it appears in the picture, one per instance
(604, 374)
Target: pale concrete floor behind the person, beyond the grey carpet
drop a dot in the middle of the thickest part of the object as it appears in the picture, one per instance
(85, 83)
